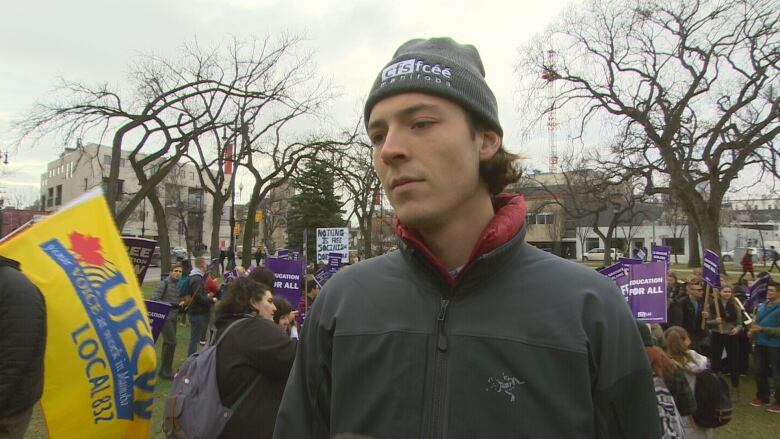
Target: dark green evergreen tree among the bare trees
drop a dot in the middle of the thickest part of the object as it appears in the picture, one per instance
(314, 205)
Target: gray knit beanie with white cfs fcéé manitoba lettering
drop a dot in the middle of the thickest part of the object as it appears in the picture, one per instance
(441, 67)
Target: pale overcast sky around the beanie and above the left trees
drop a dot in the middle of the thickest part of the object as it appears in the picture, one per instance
(95, 40)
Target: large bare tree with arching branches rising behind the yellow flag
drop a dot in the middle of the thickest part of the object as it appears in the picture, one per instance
(172, 103)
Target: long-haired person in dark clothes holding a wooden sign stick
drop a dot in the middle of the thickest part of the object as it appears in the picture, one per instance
(725, 332)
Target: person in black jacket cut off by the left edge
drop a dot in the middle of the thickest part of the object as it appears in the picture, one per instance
(22, 344)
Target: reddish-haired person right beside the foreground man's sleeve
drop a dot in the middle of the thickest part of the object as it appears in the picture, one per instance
(668, 378)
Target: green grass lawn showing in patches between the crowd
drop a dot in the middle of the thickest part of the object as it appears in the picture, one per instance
(748, 422)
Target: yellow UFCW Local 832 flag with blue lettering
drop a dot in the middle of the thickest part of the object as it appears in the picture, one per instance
(99, 366)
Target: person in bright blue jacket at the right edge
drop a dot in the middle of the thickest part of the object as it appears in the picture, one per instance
(765, 333)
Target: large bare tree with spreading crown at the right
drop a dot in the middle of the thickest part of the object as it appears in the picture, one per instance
(690, 86)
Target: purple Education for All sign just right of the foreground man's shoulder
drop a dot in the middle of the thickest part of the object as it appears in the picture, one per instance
(645, 291)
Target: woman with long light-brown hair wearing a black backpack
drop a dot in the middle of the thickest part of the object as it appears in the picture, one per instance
(677, 344)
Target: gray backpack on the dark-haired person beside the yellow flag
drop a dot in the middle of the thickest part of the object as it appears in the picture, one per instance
(193, 409)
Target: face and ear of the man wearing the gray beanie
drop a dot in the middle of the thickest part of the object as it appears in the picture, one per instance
(427, 159)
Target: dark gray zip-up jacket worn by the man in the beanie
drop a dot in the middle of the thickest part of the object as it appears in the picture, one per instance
(525, 345)
